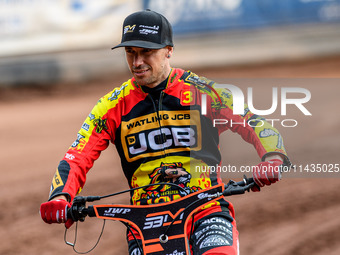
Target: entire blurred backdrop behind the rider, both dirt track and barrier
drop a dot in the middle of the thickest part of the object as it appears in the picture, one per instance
(56, 62)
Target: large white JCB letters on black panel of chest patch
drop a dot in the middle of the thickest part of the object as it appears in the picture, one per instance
(156, 140)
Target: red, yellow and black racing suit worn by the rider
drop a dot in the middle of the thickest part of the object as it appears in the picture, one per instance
(153, 135)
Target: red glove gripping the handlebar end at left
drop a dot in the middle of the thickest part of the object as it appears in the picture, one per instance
(55, 212)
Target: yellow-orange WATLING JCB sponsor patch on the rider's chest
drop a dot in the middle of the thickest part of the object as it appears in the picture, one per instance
(166, 132)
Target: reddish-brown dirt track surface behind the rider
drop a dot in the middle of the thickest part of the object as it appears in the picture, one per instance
(296, 216)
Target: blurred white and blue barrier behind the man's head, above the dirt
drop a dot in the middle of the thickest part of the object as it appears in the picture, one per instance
(46, 42)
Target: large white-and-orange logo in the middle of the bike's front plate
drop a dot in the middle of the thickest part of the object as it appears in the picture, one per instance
(164, 219)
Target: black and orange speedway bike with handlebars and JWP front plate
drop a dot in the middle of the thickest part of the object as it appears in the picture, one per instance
(162, 227)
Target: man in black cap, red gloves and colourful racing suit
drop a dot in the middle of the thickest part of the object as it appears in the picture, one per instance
(155, 121)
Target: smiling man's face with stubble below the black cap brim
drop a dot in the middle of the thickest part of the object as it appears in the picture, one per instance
(149, 66)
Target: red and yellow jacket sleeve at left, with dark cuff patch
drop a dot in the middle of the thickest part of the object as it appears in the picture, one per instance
(92, 139)
